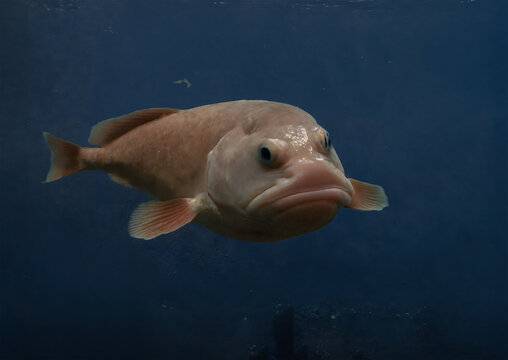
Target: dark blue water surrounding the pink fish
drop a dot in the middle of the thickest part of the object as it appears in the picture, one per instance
(414, 94)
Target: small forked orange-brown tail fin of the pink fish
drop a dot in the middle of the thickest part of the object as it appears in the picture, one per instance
(65, 158)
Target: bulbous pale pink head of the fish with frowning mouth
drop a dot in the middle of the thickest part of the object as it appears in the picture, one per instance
(276, 178)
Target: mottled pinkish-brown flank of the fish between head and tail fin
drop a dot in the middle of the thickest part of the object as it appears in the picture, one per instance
(165, 157)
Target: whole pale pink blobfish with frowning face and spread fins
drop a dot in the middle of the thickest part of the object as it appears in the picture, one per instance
(252, 170)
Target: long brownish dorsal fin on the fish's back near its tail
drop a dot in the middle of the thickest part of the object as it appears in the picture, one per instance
(108, 130)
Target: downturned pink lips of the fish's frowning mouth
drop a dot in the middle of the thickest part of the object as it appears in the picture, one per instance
(297, 196)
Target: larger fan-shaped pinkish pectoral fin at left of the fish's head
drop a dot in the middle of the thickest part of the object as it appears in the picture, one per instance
(154, 218)
